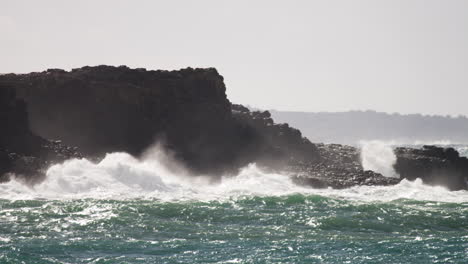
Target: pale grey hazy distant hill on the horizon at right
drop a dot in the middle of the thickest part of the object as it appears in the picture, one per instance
(353, 126)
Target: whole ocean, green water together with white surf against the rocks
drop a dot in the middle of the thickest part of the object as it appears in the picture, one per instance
(124, 210)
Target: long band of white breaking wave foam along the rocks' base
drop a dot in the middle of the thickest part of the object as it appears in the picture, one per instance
(121, 176)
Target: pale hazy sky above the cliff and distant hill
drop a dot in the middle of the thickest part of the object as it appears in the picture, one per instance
(405, 56)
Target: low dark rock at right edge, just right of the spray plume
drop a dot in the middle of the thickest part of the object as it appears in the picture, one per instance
(434, 165)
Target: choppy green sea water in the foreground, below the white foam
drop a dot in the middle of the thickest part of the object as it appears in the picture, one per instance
(285, 229)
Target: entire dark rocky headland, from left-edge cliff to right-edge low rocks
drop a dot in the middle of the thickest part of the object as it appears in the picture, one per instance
(107, 109)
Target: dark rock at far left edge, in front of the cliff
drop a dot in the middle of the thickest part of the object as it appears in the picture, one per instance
(21, 152)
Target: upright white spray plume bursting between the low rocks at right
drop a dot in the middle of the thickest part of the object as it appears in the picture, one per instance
(378, 156)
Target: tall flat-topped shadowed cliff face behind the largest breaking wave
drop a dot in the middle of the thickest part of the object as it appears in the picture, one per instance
(106, 109)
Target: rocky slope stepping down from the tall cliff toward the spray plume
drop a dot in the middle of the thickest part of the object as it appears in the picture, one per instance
(282, 148)
